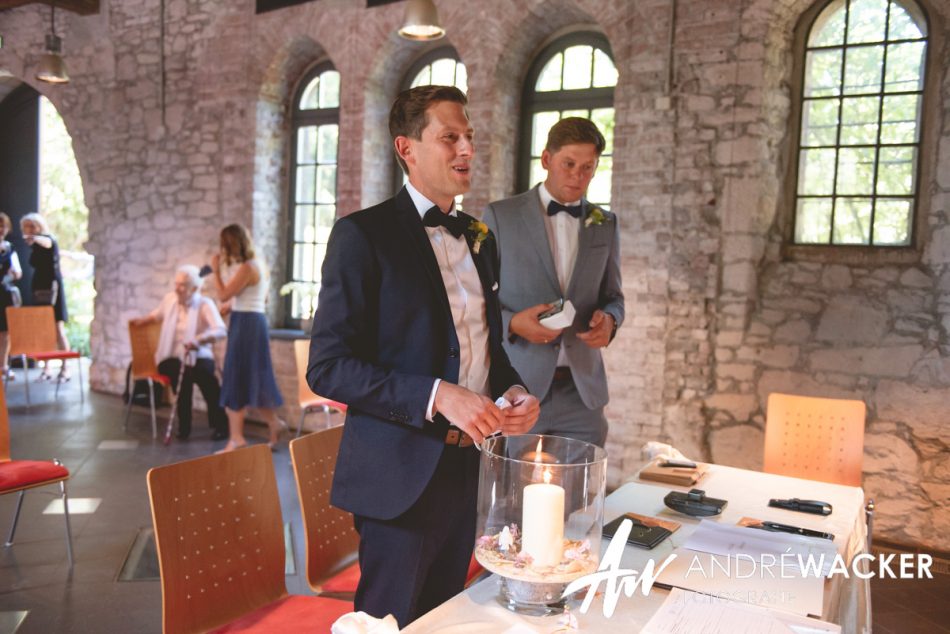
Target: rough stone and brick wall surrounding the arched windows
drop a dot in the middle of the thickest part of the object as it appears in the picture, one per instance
(720, 312)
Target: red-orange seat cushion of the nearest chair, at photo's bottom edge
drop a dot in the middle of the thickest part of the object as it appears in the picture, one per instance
(292, 614)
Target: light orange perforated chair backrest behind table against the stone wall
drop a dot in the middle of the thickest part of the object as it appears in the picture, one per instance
(815, 438)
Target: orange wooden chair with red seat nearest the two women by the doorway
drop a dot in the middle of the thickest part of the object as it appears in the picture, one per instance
(33, 336)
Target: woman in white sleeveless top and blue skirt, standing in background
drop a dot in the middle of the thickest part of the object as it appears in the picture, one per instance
(248, 377)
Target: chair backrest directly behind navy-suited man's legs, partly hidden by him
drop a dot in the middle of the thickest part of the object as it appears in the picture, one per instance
(332, 541)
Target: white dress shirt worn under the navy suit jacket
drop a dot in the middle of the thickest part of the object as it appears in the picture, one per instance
(466, 301)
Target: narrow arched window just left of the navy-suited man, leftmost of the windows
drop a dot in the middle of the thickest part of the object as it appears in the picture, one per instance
(315, 125)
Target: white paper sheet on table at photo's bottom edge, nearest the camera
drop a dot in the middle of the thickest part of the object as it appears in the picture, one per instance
(686, 612)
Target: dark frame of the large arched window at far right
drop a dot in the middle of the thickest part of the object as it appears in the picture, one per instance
(859, 254)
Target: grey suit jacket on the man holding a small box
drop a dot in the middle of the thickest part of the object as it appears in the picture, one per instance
(527, 277)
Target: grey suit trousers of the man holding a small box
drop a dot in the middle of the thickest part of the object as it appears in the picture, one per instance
(563, 413)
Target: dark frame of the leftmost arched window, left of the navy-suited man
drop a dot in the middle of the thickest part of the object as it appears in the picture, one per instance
(302, 118)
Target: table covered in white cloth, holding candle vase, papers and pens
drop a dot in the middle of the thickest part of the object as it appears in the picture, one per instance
(846, 601)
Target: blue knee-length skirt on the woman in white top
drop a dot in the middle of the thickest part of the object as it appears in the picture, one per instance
(248, 378)
